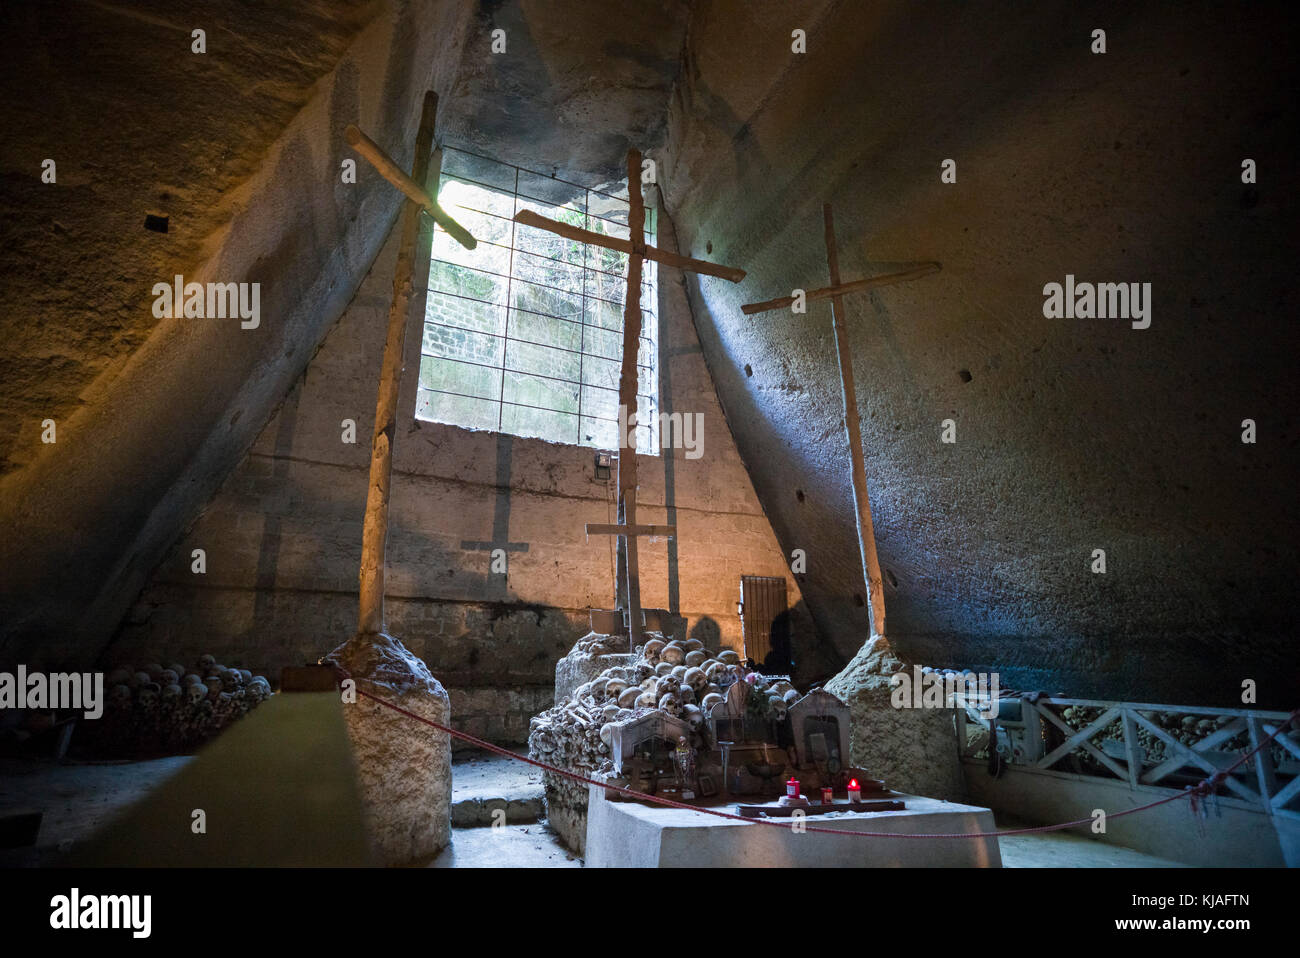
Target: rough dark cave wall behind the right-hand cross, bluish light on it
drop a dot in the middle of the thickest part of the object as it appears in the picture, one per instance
(1072, 435)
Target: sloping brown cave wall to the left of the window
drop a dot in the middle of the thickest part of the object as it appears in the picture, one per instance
(241, 146)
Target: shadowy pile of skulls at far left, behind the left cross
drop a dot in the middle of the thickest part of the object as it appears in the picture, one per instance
(172, 709)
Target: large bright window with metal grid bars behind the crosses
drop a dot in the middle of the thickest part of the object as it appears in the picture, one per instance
(525, 335)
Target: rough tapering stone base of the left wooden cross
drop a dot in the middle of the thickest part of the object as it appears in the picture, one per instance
(405, 768)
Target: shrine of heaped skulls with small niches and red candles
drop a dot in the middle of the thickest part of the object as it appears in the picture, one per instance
(699, 727)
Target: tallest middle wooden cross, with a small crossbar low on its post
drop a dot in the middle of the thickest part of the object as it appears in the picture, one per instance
(627, 528)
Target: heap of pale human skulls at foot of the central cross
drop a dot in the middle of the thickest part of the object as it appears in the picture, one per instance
(682, 679)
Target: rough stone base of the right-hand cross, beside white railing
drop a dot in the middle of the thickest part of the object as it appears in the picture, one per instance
(915, 751)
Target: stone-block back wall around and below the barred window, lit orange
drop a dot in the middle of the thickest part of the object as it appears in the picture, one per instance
(284, 535)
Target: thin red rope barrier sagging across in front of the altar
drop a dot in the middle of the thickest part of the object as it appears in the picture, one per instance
(1202, 790)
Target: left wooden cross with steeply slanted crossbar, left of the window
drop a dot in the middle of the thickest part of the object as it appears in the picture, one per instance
(375, 532)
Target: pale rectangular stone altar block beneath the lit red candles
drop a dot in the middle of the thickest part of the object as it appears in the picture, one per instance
(631, 835)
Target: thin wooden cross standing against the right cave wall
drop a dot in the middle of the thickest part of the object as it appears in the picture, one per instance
(861, 505)
